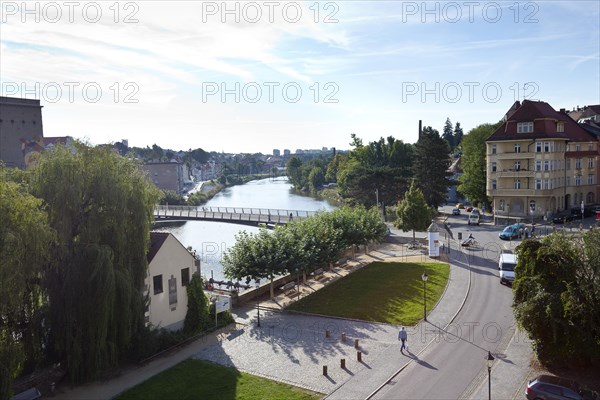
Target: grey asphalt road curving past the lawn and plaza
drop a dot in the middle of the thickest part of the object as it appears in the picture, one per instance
(455, 365)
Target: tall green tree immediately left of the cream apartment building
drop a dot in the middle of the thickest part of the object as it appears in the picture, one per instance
(472, 182)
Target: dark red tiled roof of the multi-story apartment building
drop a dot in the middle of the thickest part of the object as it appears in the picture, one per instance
(544, 128)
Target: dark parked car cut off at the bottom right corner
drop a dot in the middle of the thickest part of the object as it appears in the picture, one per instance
(548, 387)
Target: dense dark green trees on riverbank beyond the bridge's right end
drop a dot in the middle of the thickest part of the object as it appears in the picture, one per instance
(381, 170)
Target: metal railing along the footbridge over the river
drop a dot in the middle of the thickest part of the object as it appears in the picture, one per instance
(232, 213)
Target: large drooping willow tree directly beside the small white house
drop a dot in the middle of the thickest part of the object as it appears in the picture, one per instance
(100, 205)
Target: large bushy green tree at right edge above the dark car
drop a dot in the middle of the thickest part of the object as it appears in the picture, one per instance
(557, 296)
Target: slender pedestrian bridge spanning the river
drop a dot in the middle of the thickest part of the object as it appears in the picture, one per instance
(236, 215)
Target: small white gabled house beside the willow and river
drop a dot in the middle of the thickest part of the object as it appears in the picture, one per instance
(170, 269)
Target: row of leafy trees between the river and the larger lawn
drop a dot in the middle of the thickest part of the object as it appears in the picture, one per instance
(302, 246)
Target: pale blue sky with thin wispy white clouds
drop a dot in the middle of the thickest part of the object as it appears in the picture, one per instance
(256, 76)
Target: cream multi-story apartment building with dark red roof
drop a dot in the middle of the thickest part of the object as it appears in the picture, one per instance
(540, 162)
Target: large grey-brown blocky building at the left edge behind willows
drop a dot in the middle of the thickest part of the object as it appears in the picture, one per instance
(21, 131)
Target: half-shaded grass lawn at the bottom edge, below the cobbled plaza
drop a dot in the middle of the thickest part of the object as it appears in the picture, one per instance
(196, 379)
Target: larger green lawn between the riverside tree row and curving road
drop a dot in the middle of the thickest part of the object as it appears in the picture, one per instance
(380, 292)
